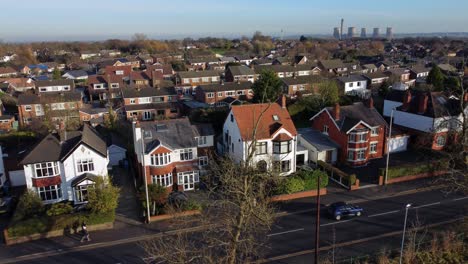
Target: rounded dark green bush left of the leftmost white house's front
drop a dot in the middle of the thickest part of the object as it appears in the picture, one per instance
(29, 205)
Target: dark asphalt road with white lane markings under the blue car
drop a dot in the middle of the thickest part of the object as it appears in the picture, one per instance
(294, 232)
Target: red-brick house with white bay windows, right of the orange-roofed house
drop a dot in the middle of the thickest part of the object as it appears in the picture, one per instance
(358, 129)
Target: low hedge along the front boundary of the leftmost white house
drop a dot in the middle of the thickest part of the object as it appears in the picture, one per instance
(43, 224)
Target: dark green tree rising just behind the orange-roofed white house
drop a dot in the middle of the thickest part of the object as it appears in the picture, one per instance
(267, 88)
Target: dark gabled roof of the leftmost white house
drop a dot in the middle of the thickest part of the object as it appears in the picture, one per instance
(51, 149)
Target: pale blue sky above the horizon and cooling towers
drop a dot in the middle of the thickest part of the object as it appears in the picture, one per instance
(65, 20)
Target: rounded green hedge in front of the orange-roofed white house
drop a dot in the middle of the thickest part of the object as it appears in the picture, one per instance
(302, 181)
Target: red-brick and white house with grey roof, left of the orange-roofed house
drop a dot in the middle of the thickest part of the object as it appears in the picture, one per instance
(172, 153)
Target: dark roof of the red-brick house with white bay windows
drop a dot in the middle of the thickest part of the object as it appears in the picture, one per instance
(351, 115)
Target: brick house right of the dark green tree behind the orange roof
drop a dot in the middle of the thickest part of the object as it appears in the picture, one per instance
(301, 85)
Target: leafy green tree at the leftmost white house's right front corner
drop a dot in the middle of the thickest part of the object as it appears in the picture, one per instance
(103, 196)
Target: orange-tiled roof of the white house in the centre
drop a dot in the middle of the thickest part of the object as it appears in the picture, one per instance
(246, 116)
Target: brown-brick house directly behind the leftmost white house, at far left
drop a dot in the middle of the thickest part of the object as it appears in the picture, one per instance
(57, 108)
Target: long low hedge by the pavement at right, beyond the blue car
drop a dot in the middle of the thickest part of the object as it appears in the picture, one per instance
(414, 169)
